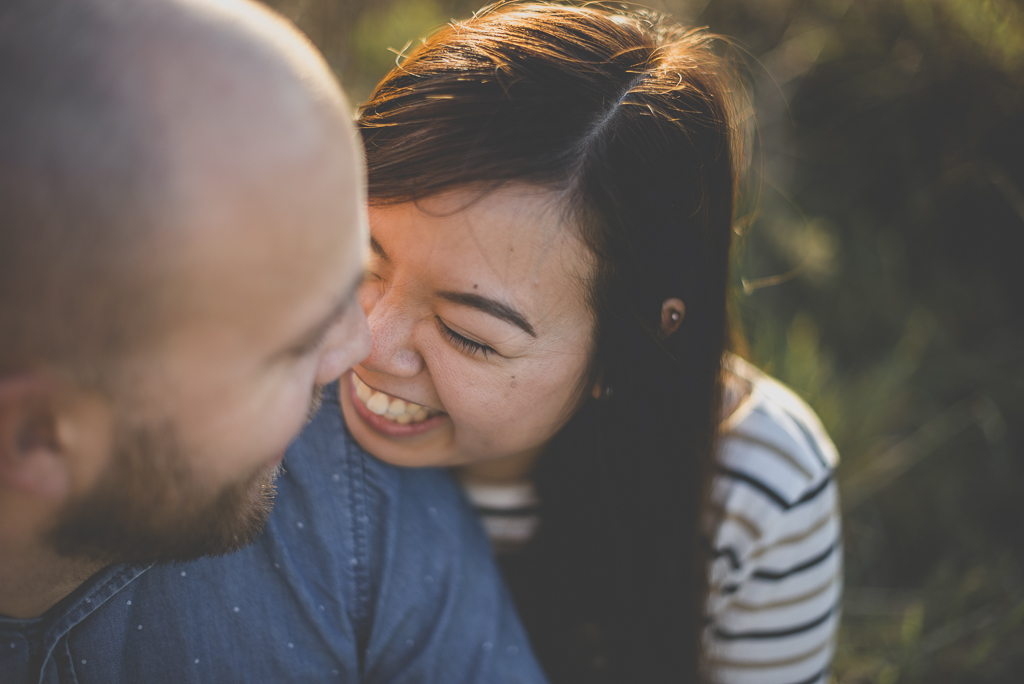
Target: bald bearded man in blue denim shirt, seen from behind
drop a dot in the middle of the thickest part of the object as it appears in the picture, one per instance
(182, 235)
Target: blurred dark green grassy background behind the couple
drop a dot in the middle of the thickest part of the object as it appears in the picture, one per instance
(879, 274)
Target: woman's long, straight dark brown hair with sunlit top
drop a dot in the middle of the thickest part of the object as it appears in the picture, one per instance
(632, 119)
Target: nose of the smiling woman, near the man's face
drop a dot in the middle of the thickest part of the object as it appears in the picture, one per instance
(393, 350)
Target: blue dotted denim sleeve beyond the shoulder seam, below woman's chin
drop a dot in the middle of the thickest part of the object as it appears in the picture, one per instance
(437, 609)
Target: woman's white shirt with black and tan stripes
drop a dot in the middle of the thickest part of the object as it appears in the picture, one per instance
(775, 529)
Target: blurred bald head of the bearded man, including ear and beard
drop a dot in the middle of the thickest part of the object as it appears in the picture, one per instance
(182, 233)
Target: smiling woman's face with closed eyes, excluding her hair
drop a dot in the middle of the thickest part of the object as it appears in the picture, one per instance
(482, 331)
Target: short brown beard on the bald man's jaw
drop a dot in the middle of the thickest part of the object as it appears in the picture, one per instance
(151, 507)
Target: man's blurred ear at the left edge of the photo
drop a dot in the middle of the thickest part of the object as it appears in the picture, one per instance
(33, 458)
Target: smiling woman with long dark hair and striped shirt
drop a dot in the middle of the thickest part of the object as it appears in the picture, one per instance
(552, 192)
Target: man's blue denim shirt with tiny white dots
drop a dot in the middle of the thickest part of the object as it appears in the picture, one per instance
(365, 574)
